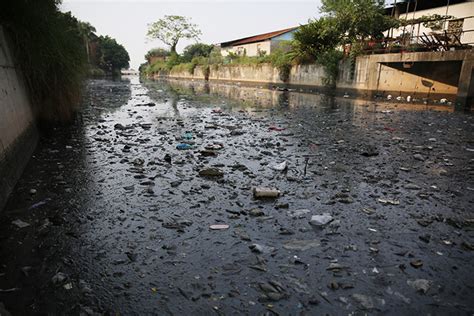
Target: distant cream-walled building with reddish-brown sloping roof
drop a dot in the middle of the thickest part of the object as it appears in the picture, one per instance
(257, 44)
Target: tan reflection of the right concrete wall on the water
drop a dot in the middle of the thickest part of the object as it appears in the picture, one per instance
(258, 96)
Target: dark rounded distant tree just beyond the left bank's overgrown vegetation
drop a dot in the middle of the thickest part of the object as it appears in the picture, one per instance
(113, 55)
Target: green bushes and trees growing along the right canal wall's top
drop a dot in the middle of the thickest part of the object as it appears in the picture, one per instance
(320, 41)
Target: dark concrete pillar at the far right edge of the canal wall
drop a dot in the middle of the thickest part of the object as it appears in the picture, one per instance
(465, 97)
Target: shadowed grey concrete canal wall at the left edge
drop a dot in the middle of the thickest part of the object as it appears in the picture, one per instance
(18, 133)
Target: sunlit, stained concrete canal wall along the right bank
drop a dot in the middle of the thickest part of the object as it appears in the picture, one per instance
(433, 75)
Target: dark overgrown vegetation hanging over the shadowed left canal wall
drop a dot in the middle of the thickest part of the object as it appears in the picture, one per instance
(52, 50)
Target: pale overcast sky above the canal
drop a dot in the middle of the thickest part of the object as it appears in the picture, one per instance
(219, 20)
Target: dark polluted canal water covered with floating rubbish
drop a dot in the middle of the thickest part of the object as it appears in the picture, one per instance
(173, 197)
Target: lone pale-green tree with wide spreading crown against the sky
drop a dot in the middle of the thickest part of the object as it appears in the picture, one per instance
(172, 28)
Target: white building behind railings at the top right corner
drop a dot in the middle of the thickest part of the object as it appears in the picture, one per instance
(452, 21)
